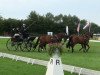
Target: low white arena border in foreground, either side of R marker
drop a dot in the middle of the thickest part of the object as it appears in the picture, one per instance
(72, 69)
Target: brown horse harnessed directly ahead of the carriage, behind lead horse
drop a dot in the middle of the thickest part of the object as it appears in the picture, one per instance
(46, 39)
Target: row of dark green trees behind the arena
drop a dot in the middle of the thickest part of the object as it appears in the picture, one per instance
(41, 24)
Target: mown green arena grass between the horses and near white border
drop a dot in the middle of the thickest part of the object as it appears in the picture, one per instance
(89, 60)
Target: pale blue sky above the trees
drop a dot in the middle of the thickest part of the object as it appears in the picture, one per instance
(20, 9)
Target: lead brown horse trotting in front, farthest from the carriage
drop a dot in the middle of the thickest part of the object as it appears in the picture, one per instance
(82, 39)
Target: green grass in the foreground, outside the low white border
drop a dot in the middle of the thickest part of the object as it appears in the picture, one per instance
(11, 67)
